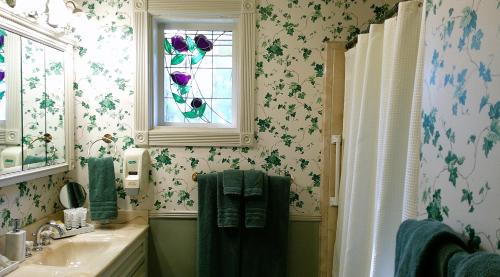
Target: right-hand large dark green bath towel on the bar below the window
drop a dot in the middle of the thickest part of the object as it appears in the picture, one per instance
(264, 250)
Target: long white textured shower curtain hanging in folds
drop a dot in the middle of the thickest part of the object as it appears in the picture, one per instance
(381, 143)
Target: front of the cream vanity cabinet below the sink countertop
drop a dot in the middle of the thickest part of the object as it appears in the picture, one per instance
(132, 261)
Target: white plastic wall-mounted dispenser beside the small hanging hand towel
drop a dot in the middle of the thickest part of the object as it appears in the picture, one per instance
(136, 170)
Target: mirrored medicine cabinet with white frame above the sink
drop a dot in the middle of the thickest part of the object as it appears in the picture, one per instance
(36, 82)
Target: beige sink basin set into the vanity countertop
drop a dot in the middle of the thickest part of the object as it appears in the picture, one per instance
(72, 254)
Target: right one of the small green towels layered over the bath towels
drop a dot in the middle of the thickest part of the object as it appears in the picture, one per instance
(256, 198)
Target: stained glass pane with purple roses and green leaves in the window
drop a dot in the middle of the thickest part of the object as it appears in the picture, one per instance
(198, 77)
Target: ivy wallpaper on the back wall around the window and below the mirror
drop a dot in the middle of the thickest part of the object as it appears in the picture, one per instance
(290, 68)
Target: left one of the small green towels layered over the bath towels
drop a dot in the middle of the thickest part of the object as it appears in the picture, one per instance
(228, 205)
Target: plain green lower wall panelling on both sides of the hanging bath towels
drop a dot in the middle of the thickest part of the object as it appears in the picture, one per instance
(172, 248)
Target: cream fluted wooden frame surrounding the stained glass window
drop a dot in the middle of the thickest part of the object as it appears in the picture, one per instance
(147, 16)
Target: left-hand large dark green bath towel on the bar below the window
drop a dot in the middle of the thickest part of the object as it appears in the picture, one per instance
(218, 249)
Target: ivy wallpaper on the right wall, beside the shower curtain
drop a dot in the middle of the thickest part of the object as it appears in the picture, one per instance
(460, 154)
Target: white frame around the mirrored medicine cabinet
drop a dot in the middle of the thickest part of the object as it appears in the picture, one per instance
(44, 35)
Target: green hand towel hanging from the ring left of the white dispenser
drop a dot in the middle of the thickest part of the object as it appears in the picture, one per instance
(102, 189)
